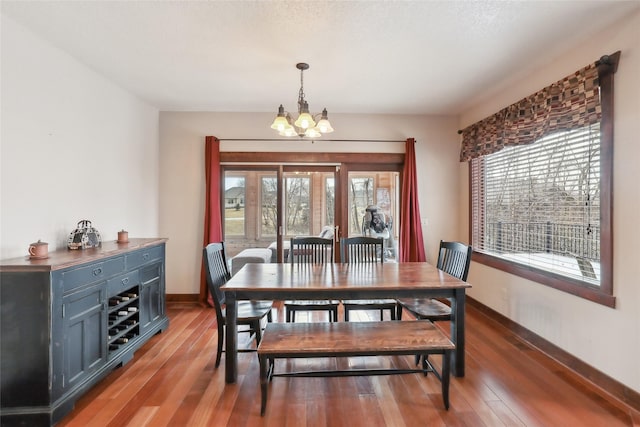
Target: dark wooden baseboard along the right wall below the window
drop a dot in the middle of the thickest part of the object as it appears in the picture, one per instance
(616, 393)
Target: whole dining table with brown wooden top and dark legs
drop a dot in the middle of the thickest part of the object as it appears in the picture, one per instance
(340, 281)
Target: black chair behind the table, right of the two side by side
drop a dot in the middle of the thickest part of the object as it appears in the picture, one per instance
(357, 250)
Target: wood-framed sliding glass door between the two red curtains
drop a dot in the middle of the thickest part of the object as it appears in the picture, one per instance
(264, 206)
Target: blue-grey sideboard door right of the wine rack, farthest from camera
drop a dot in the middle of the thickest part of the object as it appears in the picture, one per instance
(151, 294)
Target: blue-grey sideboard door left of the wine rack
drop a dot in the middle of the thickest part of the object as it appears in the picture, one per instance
(85, 333)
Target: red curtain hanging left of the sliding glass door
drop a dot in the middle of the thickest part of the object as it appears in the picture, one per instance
(212, 220)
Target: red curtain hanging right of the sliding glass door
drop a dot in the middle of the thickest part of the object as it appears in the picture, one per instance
(411, 245)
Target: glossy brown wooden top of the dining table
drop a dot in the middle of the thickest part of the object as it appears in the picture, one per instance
(378, 276)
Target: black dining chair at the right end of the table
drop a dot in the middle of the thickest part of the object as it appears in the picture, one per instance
(454, 258)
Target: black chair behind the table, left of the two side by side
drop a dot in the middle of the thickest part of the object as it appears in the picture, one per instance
(305, 251)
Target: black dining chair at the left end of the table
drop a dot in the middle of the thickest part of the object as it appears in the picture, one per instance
(250, 313)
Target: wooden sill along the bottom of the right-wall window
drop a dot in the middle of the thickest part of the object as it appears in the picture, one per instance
(555, 281)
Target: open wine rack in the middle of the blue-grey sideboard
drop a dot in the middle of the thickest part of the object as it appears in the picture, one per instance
(124, 319)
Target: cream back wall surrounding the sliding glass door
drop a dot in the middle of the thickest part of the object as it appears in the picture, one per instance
(182, 138)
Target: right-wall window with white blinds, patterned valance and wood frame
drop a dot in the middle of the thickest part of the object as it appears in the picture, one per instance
(541, 187)
